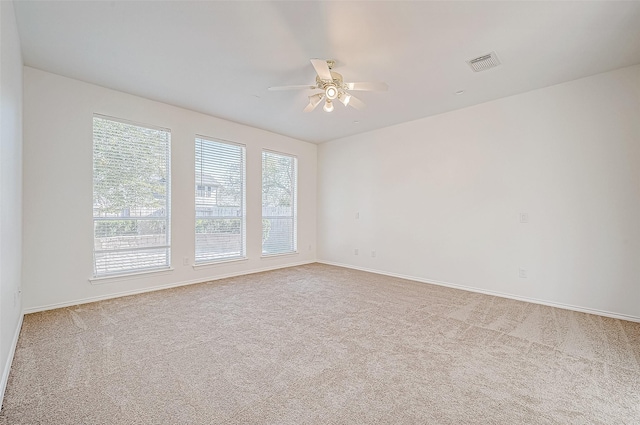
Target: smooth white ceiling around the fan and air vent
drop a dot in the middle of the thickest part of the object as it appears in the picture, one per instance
(220, 57)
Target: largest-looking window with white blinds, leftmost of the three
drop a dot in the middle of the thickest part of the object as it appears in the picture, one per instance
(131, 197)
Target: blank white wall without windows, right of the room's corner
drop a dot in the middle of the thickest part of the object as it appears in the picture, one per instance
(439, 198)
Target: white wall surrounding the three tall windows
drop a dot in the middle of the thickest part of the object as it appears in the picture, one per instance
(58, 228)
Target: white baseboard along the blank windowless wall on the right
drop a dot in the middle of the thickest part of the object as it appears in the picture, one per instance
(494, 293)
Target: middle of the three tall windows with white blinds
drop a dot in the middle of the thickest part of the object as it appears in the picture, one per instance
(220, 201)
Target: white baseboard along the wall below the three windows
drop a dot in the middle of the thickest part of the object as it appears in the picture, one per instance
(156, 288)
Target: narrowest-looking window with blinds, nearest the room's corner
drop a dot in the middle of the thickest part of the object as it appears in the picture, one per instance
(279, 198)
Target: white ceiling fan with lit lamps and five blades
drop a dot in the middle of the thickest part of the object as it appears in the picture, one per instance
(332, 87)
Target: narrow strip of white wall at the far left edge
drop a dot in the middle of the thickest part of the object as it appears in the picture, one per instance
(10, 186)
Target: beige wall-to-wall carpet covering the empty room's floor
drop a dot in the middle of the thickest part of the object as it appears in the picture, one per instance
(322, 345)
